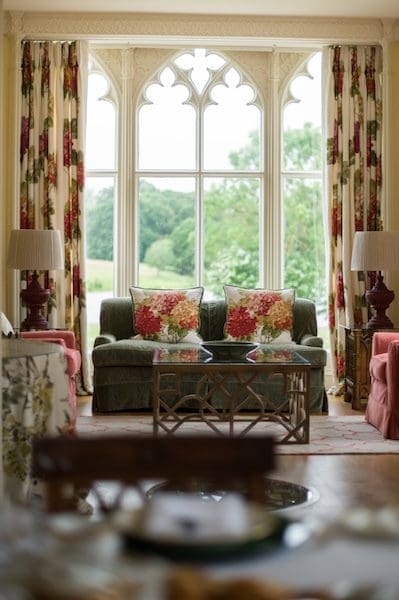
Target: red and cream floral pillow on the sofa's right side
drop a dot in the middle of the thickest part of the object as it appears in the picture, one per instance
(258, 315)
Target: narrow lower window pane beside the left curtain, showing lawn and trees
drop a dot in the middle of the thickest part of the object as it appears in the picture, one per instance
(99, 223)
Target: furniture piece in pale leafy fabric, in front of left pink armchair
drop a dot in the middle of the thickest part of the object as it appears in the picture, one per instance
(36, 402)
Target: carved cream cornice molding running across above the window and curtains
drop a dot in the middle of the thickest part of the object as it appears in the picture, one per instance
(180, 27)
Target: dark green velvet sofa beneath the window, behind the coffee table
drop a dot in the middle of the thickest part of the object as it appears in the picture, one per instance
(122, 378)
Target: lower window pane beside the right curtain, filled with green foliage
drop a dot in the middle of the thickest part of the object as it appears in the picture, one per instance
(304, 256)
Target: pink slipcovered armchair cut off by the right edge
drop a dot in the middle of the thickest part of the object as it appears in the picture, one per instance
(383, 403)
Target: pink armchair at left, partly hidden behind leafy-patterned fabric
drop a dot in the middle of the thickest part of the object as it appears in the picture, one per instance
(73, 357)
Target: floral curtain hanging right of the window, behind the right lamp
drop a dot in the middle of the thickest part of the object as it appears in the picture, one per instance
(354, 130)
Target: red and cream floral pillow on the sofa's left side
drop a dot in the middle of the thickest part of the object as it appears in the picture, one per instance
(166, 315)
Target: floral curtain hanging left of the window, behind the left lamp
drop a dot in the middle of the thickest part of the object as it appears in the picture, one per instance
(53, 84)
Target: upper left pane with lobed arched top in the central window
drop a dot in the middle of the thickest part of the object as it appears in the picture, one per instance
(167, 126)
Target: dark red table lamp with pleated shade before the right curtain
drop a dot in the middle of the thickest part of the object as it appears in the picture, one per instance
(377, 251)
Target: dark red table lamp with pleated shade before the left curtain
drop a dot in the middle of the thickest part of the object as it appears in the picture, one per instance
(35, 250)
